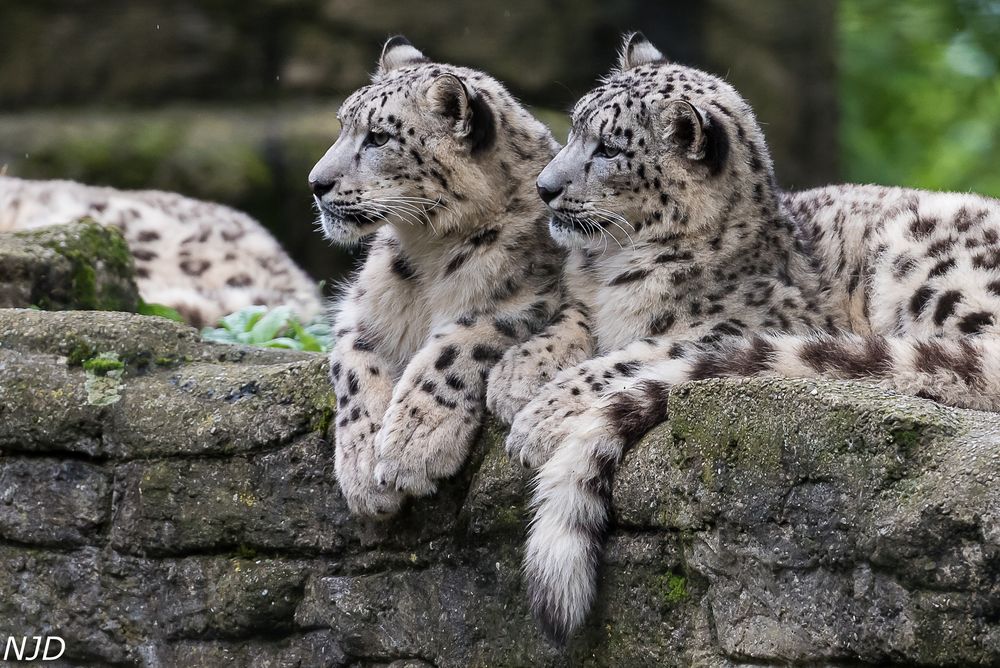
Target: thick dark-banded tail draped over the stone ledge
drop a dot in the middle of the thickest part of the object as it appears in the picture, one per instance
(572, 495)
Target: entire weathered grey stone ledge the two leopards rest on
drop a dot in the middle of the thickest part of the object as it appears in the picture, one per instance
(768, 522)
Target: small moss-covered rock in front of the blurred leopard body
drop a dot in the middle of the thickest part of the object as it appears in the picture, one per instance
(80, 265)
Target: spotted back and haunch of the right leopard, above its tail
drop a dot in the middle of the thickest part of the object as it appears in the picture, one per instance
(904, 262)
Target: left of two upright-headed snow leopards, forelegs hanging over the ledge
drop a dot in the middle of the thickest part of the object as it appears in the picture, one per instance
(435, 164)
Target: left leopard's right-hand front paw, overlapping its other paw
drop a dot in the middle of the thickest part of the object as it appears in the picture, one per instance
(421, 441)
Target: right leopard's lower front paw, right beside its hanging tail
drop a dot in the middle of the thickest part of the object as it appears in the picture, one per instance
(546, 422)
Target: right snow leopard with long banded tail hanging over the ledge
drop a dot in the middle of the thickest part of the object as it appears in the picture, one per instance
(688, 262)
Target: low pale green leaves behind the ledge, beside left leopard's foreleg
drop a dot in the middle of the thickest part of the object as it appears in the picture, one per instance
(278, 328)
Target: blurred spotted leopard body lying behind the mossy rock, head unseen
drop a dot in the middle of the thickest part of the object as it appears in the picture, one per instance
(203, 259)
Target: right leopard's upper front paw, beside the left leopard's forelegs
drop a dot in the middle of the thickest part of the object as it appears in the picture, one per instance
(522, 373)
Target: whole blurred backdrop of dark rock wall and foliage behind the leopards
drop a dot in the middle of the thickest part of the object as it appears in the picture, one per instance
(233, 101)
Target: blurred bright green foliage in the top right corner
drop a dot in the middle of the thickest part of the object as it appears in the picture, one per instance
(920, 93)
